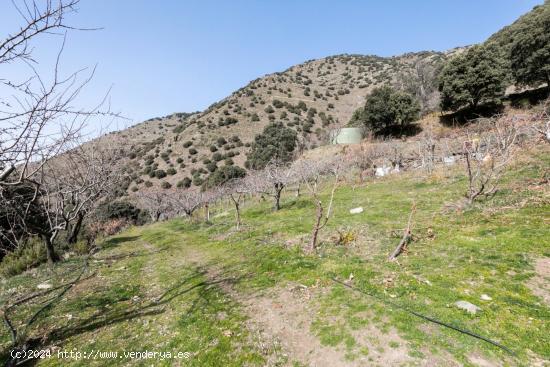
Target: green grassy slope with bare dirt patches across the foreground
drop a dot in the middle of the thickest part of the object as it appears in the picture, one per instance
(169, 292)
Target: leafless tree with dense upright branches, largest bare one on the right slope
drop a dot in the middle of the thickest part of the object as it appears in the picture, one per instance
(487, 154)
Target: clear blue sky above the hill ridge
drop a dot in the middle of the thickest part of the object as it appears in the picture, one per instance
(174, 56)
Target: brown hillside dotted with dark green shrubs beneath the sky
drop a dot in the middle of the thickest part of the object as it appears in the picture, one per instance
(311, 98)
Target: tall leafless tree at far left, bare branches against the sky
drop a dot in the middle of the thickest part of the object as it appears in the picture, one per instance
(39, 122)
